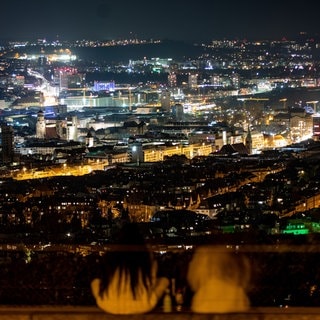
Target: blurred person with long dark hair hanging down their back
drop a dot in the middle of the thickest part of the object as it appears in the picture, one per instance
(128, 283)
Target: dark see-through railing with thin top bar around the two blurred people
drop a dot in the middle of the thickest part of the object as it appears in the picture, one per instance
(285, 279)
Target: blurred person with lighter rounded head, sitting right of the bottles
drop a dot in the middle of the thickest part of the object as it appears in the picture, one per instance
(218, 279)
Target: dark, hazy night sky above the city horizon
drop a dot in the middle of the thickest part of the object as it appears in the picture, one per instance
(192, 21)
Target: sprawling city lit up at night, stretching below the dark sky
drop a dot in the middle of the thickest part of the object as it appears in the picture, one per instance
(218, 145)
